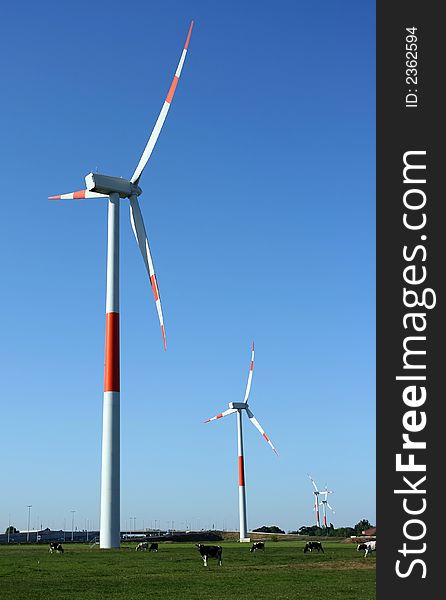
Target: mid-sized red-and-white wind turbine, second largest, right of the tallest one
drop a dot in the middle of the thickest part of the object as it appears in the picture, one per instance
(238, 407)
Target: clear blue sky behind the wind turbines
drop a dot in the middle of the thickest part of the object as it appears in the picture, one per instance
(259, 201)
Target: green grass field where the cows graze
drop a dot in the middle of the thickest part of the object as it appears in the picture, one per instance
(176, 572)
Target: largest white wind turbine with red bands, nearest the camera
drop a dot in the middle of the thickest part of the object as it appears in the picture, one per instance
(116, 189)
